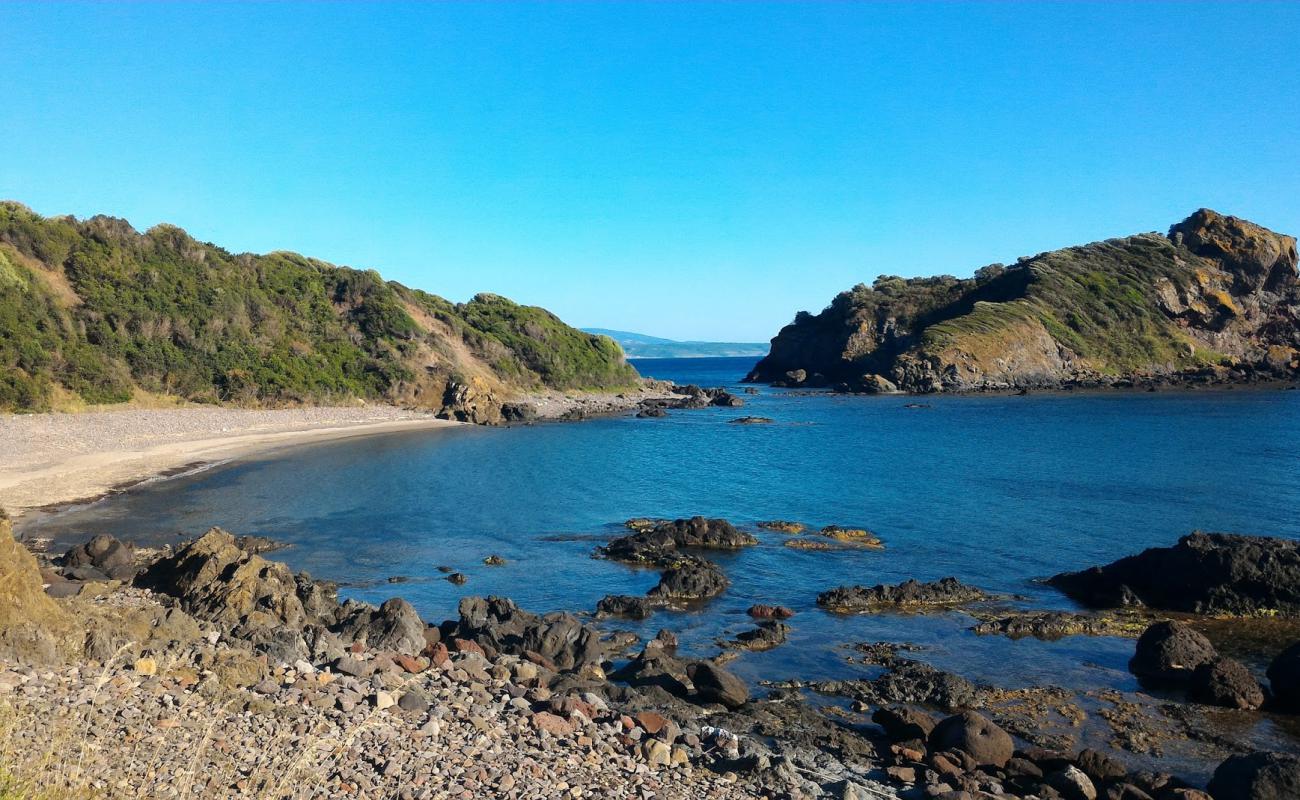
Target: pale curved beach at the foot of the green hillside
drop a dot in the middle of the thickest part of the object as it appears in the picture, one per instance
(59, 459)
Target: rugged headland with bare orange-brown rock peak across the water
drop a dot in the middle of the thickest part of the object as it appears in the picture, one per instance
(1216, 301)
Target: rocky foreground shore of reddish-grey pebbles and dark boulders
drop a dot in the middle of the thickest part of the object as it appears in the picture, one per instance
(209, 671)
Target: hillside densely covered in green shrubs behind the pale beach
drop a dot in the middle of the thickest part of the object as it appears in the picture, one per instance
(94, 312)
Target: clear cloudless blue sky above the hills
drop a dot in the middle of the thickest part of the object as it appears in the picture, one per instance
(683, 171)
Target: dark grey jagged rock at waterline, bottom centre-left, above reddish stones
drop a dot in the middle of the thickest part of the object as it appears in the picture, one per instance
(499, 624)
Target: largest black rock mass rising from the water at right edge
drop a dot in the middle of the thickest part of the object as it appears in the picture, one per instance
(1204, 574)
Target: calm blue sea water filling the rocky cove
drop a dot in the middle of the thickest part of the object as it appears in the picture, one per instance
(998, 491)
